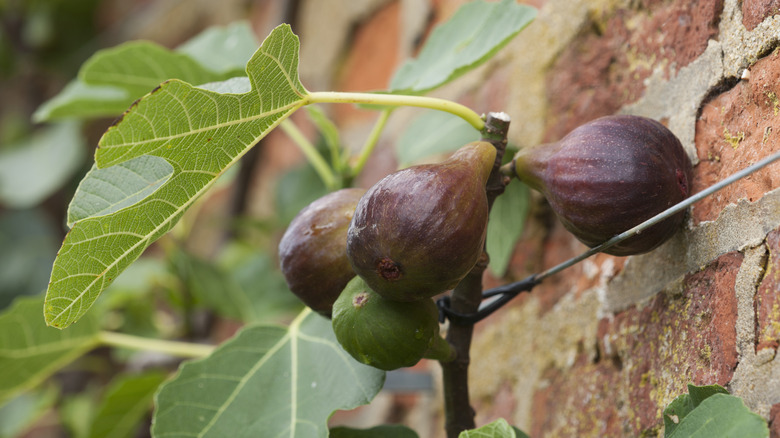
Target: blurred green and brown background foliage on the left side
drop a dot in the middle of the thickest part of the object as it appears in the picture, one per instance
(215, 272)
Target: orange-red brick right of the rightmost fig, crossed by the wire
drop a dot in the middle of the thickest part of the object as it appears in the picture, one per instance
(736, 129)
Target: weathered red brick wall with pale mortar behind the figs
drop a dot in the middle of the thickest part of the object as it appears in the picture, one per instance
(602, 348)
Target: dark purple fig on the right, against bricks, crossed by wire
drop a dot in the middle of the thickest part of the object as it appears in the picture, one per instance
(610, 175)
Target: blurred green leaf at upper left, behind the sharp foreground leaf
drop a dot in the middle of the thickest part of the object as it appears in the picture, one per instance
(113, 78)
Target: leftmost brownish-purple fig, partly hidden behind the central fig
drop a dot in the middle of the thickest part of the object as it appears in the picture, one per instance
(312, 252)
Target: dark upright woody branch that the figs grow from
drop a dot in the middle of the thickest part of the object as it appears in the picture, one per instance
(466, 298)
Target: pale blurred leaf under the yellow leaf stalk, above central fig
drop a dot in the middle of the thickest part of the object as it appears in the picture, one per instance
(434, 132)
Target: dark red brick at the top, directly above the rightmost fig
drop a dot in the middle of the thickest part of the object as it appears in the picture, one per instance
(605, 68)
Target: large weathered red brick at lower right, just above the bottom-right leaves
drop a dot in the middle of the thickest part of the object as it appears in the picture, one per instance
(647, 356)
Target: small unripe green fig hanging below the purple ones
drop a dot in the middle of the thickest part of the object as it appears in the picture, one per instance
(387, 334)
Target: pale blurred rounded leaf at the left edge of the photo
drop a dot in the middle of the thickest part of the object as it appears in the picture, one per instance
(33, 170)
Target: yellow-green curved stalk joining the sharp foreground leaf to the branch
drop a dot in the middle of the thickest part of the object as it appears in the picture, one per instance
(457, 109)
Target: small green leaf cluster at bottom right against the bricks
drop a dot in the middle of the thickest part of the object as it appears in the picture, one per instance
(708, 411)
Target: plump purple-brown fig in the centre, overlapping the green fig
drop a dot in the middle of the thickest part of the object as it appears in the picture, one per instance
(419, 231)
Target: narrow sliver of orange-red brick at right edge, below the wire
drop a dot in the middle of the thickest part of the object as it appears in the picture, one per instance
(768, 297)
